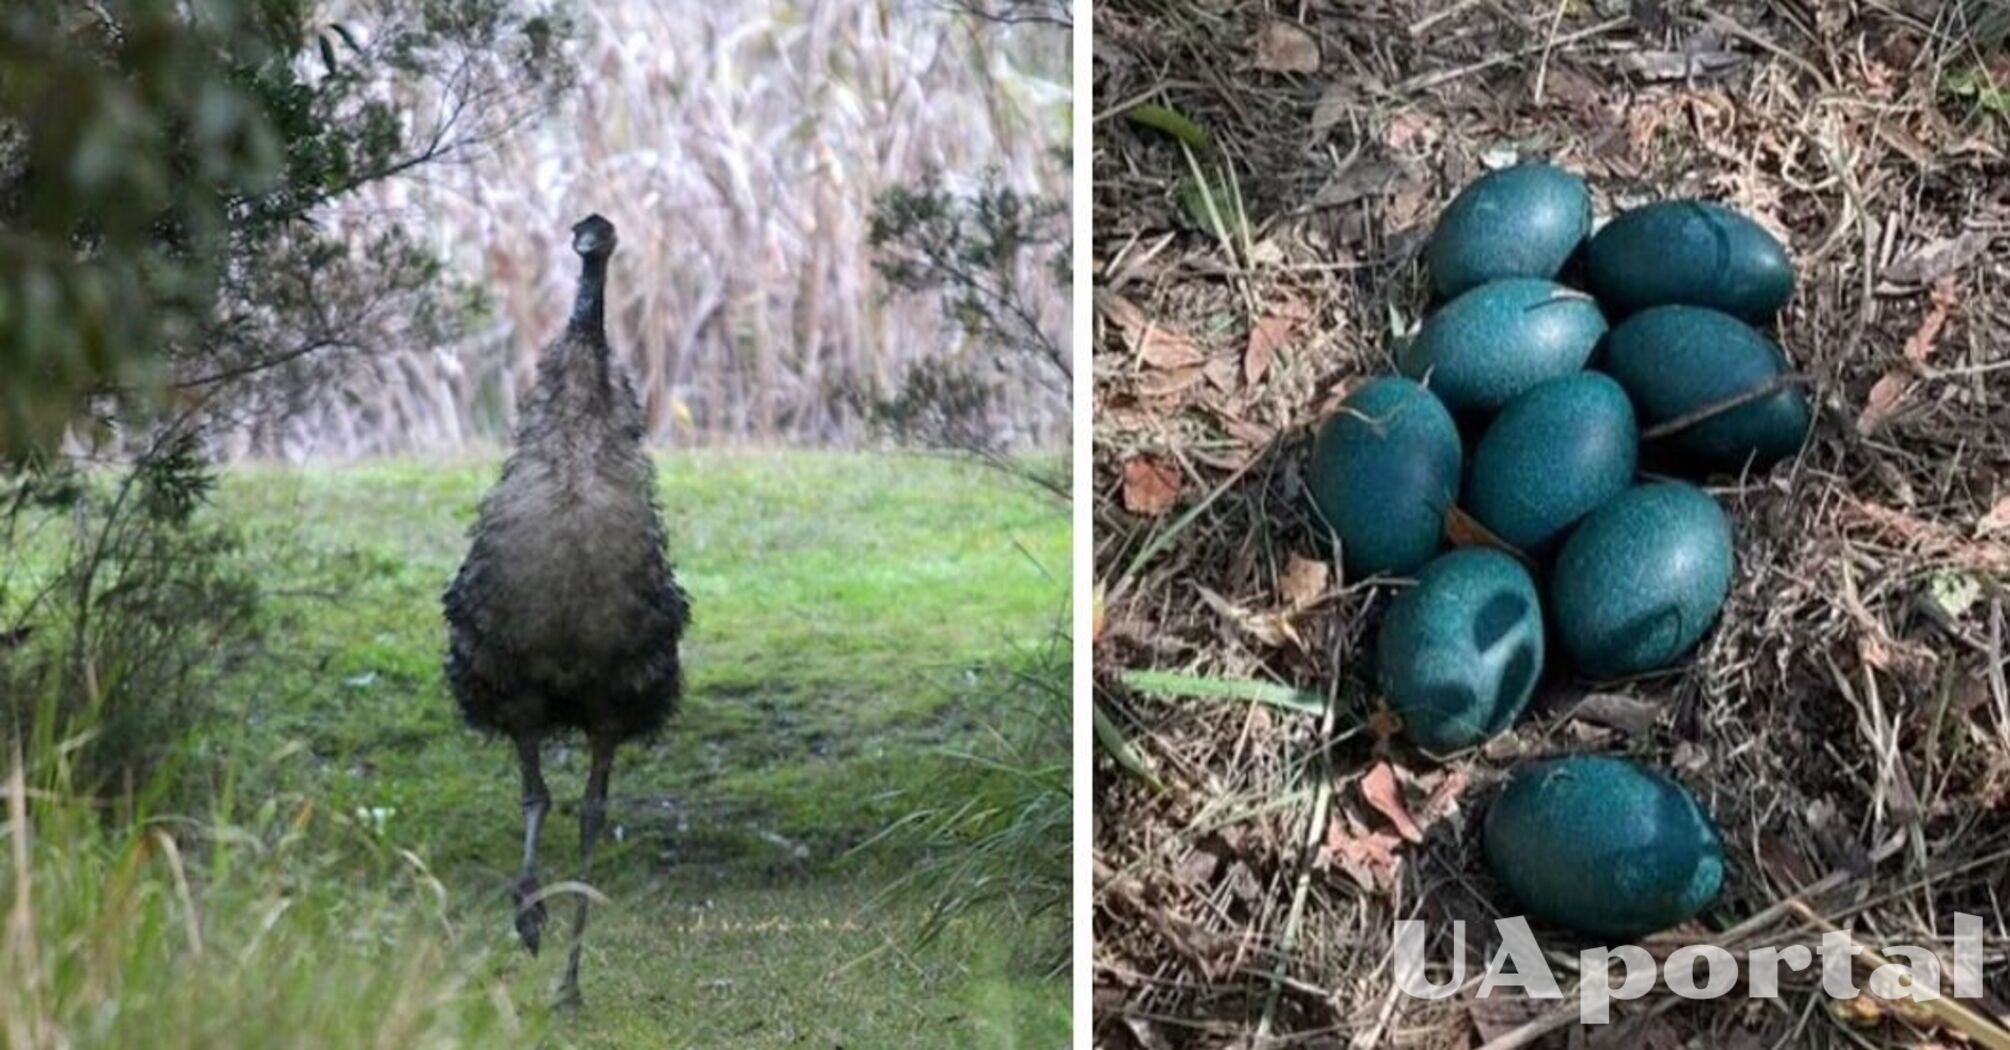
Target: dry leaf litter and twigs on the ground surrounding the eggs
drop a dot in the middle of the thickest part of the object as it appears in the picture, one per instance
(1846, 723)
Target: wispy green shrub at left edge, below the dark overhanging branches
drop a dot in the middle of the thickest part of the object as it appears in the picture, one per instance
(130, 600)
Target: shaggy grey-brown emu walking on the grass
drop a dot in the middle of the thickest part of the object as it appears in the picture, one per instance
(566, 615)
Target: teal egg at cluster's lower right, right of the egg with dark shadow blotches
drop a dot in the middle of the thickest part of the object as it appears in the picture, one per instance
(1641, 580)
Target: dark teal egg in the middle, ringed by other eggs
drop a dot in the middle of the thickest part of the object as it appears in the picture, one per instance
(1555, 456)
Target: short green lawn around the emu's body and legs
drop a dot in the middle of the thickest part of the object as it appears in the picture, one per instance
(847, 612)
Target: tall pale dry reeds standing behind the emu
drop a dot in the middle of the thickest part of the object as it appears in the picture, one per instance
(739, 150)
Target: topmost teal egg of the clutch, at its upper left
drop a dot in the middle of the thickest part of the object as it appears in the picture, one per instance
(1519, 222)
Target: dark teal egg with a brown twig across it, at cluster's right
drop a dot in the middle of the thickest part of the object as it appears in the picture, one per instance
(1681, 359)
